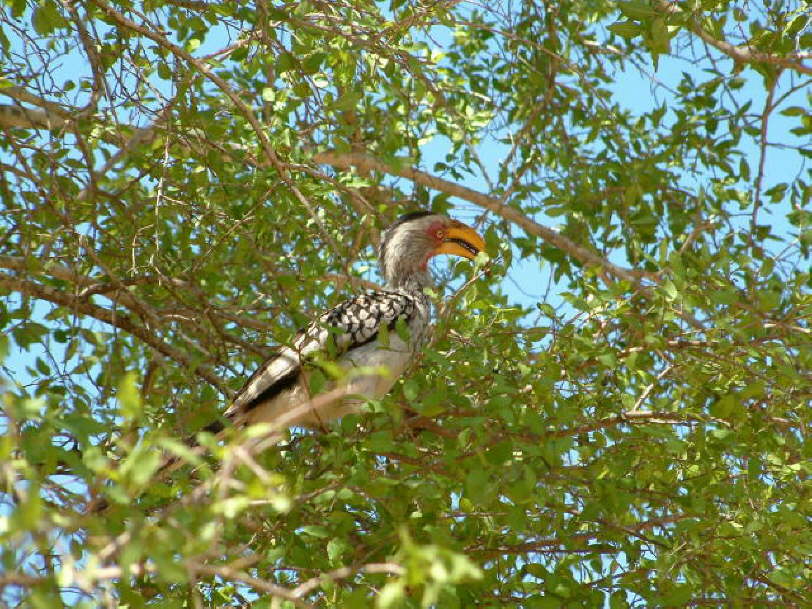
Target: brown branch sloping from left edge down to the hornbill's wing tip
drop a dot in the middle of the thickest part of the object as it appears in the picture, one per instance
(121, 321)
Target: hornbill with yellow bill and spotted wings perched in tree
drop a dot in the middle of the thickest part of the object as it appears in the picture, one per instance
(372, 337)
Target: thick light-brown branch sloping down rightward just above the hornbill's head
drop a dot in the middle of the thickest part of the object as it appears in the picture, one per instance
(580, 253)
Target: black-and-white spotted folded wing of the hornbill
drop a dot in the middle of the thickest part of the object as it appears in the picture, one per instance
(351, 324)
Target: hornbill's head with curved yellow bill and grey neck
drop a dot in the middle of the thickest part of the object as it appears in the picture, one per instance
(414, 238)
